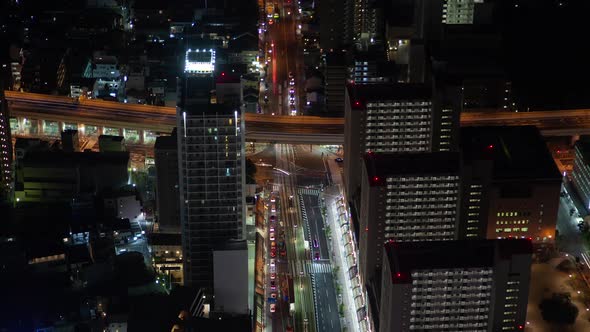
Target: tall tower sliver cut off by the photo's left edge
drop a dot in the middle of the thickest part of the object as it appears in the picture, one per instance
(5, 150)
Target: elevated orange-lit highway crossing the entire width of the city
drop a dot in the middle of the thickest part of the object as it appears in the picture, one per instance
(39, 114)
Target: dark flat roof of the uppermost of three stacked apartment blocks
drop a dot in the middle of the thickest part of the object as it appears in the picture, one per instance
(364, 93)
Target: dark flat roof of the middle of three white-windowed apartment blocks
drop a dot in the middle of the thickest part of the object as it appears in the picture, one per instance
(381, 165)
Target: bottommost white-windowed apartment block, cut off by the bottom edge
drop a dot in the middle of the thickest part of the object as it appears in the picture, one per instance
(468, 285)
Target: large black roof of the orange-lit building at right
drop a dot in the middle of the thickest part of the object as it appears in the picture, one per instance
(517, 152)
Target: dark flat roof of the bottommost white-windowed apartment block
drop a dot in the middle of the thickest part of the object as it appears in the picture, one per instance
(406, 257)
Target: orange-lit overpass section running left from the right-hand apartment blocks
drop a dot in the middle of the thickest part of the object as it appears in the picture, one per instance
(39, 114)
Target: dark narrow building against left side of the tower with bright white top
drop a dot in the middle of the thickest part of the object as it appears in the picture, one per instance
(167, 185)
